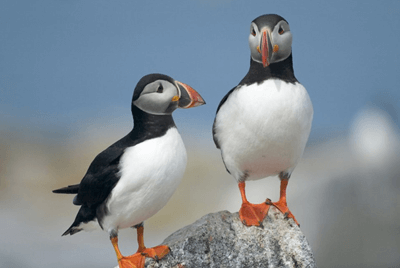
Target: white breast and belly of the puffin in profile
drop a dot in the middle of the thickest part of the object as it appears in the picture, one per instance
(150, 173)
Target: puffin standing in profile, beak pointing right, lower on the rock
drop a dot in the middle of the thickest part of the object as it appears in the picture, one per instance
(134, 178)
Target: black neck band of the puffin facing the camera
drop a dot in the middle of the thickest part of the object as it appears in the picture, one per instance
(281, 70)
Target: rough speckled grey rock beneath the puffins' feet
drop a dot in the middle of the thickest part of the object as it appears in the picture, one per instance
(221, 240)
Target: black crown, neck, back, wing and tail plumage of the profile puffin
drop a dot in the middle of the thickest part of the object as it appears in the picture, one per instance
(103, 173)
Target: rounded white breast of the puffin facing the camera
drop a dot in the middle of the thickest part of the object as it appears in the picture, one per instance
(263, 129)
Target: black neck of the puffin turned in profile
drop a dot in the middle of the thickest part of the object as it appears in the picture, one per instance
(149, 125)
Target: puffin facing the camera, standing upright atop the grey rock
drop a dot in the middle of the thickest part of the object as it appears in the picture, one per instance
(262, 125)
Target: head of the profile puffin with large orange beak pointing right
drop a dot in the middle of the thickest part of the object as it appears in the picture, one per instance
(159, 94)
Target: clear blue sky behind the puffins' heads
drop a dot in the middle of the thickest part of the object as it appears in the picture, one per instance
(65, 64)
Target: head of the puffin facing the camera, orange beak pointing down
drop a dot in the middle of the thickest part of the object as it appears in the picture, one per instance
(270, 39)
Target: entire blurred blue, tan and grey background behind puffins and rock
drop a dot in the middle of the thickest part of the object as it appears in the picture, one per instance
(67, 73)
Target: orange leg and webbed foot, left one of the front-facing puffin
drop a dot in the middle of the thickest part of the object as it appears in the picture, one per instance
(251, 214)
